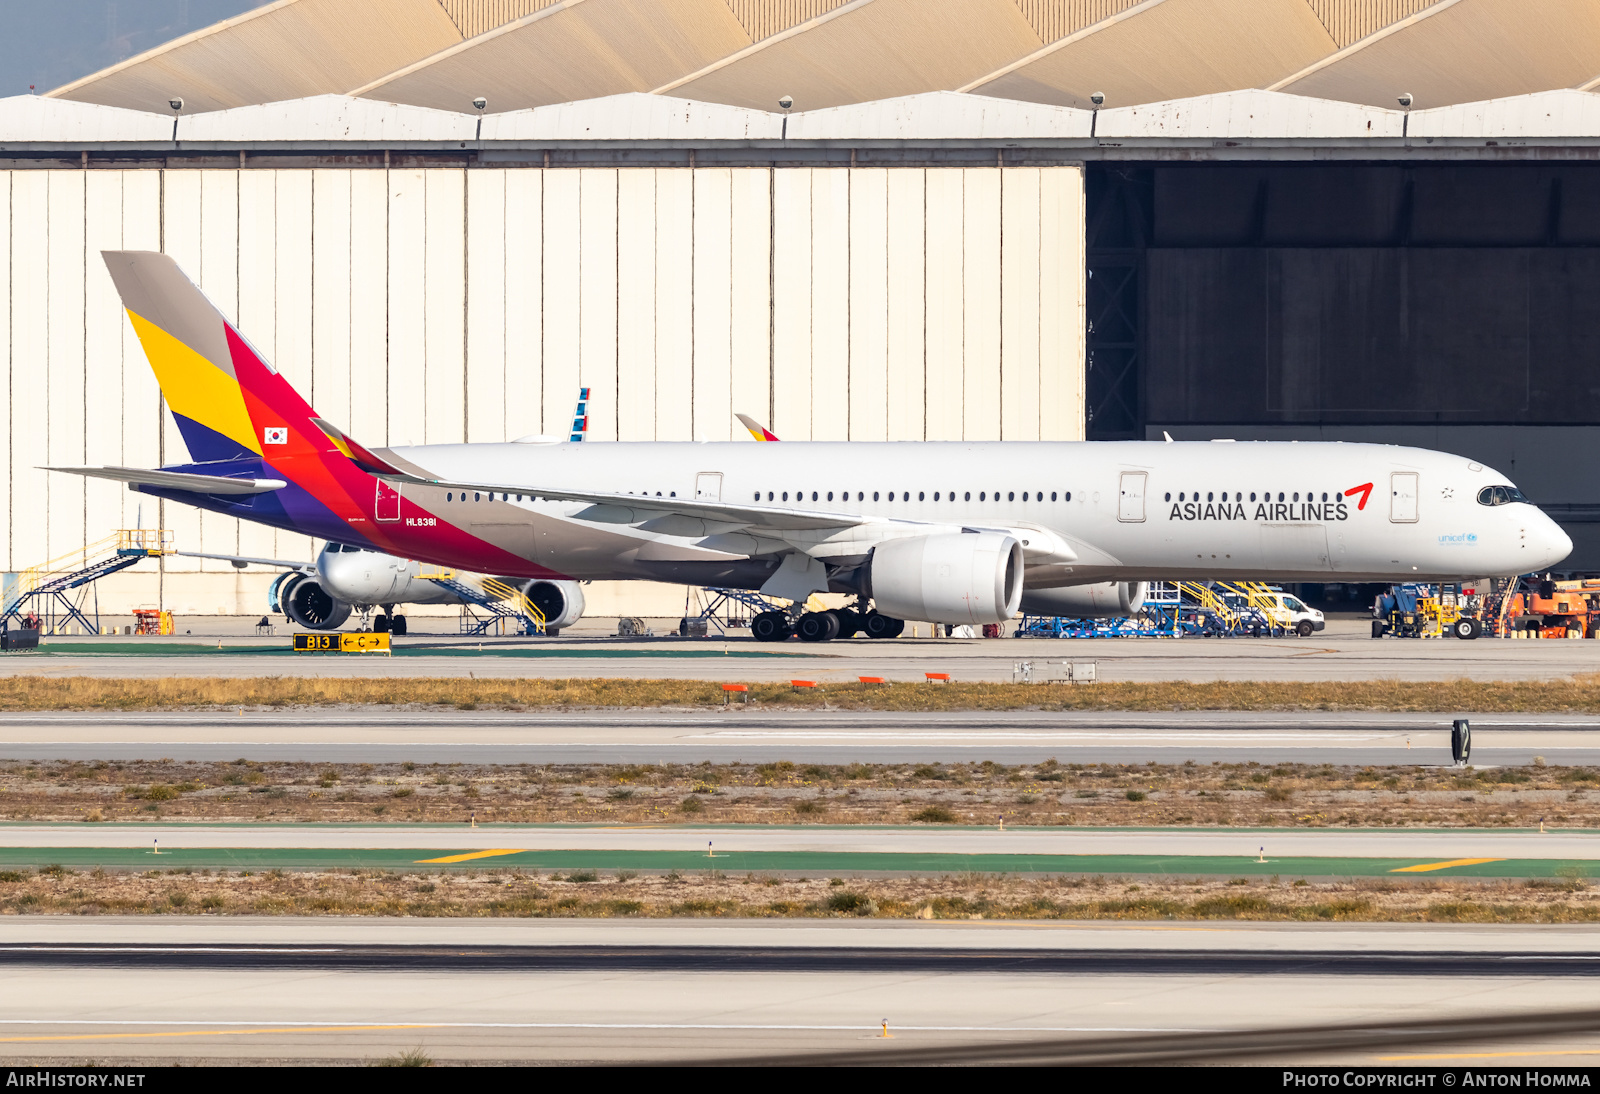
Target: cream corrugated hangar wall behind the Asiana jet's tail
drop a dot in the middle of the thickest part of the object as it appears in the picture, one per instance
(446, 305)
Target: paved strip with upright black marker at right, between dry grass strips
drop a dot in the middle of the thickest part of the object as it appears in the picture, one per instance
(721, 737)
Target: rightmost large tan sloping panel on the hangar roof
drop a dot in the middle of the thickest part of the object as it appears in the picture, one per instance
(1463, 52)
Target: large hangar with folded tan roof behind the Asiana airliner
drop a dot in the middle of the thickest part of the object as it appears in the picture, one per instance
(945, 239)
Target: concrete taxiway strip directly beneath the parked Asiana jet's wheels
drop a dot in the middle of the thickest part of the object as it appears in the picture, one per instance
(1343, 655)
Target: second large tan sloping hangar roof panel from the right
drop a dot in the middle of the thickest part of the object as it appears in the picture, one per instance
(1169, 50)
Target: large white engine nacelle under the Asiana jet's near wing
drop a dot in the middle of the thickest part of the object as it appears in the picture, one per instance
(958, 578)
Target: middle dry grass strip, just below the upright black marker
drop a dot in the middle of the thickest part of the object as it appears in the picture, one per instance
(1046, 794)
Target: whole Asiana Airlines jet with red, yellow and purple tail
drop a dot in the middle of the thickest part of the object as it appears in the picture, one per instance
(953, 532)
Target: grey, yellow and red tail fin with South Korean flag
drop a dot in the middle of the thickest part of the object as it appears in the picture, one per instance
(228, 401)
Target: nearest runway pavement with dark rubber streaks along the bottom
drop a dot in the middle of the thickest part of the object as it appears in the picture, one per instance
(148, 991)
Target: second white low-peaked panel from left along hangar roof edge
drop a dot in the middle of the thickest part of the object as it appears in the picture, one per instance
(329, 118)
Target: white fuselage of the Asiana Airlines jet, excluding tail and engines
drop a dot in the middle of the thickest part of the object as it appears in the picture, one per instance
(1086, 513)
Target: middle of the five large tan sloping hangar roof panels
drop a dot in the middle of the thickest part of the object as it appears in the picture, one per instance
(868, 50)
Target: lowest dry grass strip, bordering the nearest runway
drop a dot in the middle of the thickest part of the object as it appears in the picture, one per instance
(626, 895)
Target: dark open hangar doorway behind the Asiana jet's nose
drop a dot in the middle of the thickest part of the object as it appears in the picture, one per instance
(1450, 306)
